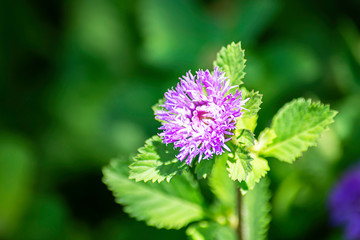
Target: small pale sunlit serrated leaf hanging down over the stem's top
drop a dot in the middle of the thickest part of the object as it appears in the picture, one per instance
(239, 164)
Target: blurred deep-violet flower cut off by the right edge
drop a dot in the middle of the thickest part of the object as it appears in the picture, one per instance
(344, 203)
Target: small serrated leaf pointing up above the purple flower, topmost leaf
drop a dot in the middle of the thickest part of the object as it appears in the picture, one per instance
(231, 60)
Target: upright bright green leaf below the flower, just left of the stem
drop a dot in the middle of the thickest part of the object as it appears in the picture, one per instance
(221, 185)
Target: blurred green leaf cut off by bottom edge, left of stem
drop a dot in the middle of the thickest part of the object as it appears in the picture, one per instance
(210, 231)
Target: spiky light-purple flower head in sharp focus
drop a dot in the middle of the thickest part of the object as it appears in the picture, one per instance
(200, 114)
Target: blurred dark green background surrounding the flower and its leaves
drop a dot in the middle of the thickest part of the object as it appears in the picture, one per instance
(78, 79)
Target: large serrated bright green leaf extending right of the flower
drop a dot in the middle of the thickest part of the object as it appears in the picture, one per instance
(298, 125)
